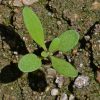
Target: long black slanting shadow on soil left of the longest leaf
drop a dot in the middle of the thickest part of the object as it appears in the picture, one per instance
(12, 39)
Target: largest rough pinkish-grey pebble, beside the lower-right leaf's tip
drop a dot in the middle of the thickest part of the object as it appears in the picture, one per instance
(81, 81)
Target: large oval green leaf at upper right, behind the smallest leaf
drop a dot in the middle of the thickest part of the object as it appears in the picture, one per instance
(68, 40)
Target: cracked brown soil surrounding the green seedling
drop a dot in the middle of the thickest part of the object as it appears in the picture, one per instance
(56, 16)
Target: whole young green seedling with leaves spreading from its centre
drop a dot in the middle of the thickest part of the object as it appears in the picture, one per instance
(64, 43)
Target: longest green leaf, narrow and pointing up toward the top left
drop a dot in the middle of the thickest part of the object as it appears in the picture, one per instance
(34, 26)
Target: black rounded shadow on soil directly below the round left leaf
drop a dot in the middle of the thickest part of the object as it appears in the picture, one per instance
(37, 81)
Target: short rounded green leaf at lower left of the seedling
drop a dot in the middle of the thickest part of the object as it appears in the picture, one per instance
(29, 63)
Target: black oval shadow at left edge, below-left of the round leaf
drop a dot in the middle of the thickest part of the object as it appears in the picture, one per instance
(10, 73)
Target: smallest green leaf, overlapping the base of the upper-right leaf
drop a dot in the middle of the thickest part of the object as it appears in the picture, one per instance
(54, 46)
